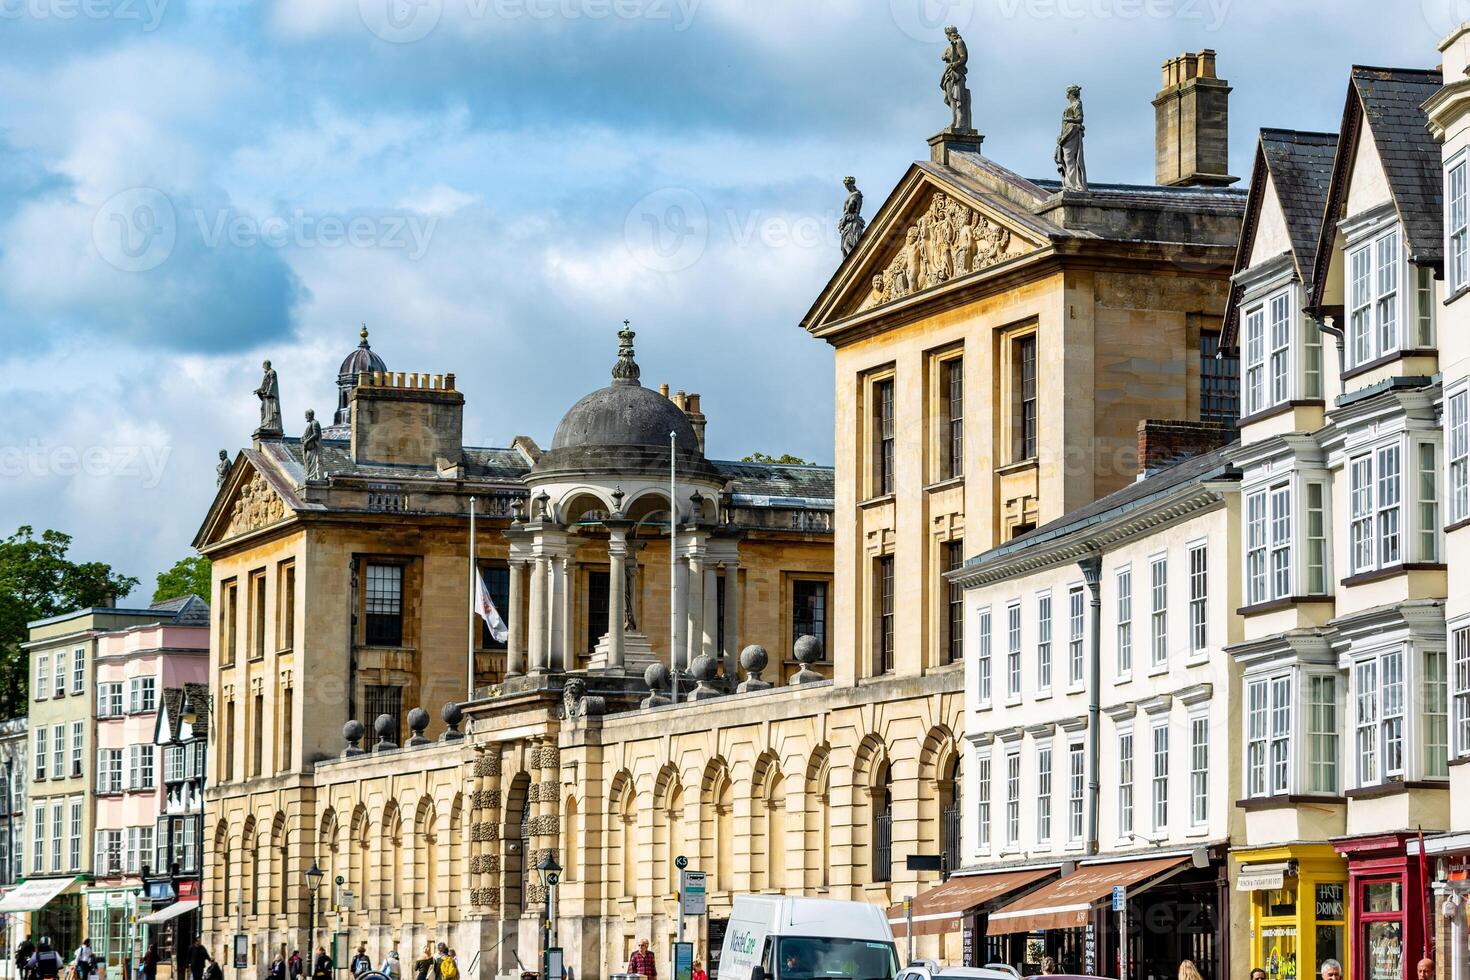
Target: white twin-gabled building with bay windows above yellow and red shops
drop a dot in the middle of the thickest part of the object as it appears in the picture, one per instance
(1343, 718)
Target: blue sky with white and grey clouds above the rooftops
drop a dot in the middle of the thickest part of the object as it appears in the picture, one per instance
(192, 186)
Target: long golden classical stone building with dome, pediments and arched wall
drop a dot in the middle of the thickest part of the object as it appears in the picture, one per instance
(1058, 320)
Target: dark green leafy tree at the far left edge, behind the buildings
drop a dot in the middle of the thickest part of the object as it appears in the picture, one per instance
(37, 580)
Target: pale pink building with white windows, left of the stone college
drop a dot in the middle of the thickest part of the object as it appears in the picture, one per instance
(133, 668)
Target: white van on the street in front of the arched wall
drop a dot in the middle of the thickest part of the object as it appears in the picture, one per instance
(778, 938)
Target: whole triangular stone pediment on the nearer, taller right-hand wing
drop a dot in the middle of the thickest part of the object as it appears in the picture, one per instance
(928, 236)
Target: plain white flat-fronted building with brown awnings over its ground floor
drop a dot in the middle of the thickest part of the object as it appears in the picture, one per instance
(1100, 731)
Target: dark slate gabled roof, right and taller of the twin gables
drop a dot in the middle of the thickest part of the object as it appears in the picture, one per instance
(1390, 102)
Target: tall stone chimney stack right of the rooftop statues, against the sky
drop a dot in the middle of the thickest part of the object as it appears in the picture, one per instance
(1191, 124)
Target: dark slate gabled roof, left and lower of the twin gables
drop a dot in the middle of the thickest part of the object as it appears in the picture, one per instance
(1299, 165)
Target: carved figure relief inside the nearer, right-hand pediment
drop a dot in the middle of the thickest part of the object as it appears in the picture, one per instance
(947, 240)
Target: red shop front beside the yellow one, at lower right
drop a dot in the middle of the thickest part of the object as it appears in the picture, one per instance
(1387, 907)
